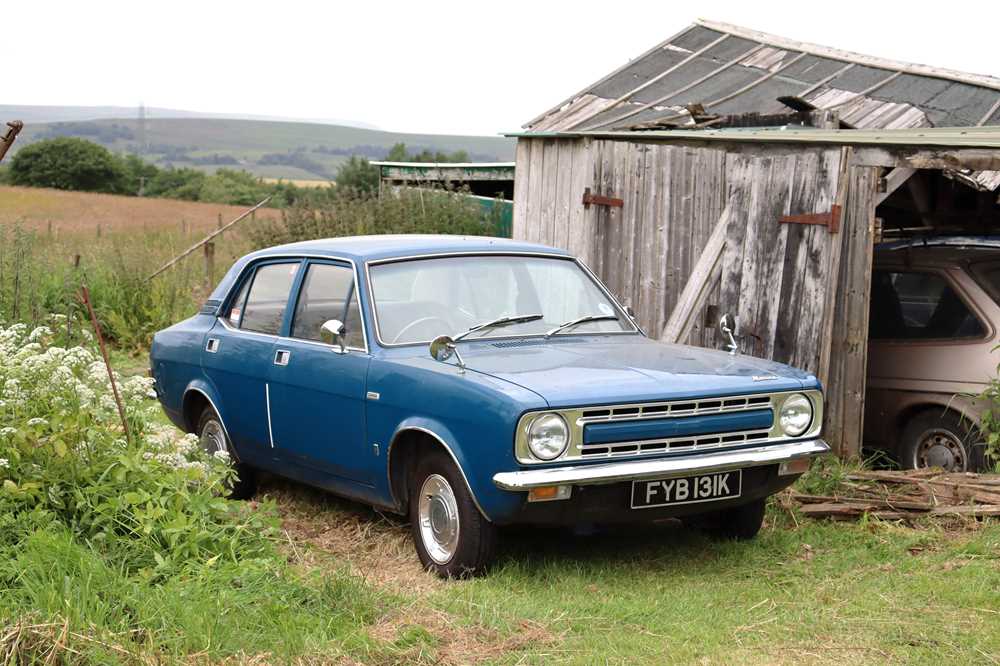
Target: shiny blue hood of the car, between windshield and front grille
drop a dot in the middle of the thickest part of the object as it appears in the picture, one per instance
(593, 370)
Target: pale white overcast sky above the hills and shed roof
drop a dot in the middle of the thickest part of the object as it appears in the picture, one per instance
(436, 67)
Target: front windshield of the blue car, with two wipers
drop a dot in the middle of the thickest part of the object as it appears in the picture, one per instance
(418, 300)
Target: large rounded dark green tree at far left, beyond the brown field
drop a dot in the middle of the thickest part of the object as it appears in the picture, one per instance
(68, 164)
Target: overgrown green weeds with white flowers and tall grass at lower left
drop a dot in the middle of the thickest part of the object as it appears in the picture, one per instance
(127, 545)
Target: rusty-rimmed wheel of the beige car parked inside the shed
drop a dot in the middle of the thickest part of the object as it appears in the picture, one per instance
(942, 438)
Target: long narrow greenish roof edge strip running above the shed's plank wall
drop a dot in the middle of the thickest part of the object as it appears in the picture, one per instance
(945, 137)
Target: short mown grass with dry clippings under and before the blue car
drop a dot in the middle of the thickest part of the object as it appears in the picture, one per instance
(803, 592)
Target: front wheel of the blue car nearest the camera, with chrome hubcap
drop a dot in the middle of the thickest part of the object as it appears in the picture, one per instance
(476, 537)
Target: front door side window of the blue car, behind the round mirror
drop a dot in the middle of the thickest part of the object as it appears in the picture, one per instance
(328, 292)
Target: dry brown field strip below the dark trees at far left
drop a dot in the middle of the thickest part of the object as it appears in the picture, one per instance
(74, 212)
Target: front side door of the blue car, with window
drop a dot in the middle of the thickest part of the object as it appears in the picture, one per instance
(317, 390)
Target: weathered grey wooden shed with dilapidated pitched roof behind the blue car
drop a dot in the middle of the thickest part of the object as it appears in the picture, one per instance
(774, 225)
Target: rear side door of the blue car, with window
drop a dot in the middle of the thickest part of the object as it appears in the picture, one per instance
(237, 352)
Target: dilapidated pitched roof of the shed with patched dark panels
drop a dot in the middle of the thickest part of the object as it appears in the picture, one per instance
(726, 69)
